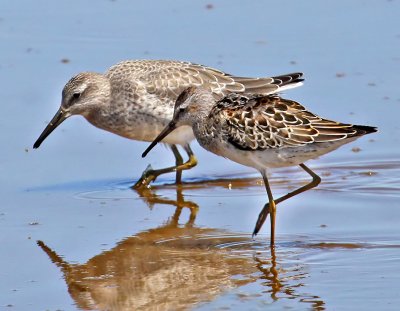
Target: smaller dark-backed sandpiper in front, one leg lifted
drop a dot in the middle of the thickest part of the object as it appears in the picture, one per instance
(261, 132)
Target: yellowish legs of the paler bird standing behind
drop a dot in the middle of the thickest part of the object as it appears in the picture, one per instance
(150, 175)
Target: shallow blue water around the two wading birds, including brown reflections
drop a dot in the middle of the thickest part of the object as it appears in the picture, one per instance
(74, 235)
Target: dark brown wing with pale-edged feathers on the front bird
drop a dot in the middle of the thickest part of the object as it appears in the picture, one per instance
(263, 122)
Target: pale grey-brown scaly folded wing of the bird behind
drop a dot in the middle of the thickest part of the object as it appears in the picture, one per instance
(167, 79)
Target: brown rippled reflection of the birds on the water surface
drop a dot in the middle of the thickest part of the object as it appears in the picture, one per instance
(174, 267)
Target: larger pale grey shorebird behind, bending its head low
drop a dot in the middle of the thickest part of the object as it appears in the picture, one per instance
(135, 99)
